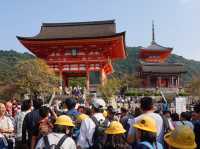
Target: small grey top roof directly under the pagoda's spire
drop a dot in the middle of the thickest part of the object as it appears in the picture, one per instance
(156, 47)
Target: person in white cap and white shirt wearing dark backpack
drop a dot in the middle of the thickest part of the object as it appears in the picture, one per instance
(88, 126)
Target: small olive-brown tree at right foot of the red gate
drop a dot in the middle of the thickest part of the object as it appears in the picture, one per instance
(110, 88)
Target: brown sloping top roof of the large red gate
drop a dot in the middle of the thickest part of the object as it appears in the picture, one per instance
(75, 30)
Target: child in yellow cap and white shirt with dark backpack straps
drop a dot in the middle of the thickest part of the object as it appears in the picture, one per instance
(59, 137)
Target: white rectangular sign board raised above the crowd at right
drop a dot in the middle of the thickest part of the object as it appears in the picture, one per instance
(180, 103)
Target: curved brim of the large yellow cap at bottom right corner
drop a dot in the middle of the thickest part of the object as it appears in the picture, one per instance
(170, 141)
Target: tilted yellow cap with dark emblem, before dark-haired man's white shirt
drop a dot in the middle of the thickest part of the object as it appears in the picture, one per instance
(146, 123)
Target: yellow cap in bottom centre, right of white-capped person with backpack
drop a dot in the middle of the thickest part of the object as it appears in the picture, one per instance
(115, 127)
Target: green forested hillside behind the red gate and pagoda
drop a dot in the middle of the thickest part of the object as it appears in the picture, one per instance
(8, 59)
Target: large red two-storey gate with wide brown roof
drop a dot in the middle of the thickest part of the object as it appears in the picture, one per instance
(78, 49)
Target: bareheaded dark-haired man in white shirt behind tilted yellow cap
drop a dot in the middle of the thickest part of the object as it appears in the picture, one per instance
(146, 105)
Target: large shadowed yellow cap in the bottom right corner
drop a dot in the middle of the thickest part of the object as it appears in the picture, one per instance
(181, 138)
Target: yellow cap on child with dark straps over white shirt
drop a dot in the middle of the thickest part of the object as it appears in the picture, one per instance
(64, 120)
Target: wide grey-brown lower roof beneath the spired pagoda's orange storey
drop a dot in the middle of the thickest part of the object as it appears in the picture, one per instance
(162, 68)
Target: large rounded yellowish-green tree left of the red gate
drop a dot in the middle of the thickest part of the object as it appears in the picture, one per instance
(35, 78)
